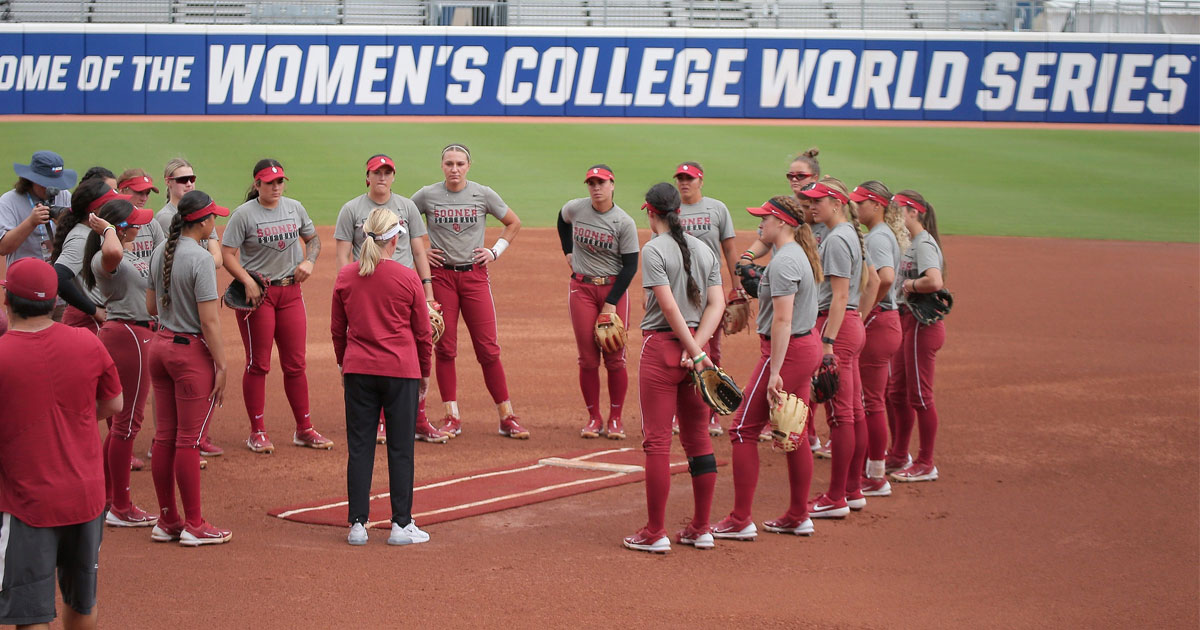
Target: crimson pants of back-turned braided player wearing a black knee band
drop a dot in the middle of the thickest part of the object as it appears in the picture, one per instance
(665, 392)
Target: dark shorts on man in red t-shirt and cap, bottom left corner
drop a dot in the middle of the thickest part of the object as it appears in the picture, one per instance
(29, 560)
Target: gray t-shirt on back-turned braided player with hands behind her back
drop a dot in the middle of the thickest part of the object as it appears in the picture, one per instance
(663, 266)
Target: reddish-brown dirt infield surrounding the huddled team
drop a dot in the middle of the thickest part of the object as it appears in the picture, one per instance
(1069, 455)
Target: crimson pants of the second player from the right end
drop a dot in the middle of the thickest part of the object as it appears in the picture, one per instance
(883, 341)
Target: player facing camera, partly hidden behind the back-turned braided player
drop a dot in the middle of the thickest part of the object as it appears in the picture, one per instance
(710, 221)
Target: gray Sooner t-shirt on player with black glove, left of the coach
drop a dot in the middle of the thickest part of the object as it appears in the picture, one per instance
(271, 239)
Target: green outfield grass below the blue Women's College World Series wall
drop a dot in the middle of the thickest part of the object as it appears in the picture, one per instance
(1018, 183)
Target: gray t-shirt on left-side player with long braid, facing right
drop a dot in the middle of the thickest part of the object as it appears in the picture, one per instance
(194, 280)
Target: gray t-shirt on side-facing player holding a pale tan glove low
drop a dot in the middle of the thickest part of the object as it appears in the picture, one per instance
(789, 274)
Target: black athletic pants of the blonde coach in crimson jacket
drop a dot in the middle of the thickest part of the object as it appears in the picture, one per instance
(365, 397)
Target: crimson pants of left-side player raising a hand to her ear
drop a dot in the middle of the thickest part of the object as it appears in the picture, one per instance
(129, 345)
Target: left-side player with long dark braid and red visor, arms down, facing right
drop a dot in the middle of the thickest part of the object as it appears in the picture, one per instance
(188, 368)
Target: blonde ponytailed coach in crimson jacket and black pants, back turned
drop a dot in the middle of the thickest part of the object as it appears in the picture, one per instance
(382, 340)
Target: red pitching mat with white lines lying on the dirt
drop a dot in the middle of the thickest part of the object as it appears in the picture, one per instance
(495, 490)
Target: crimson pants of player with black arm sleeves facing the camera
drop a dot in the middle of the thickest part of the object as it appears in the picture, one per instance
(584, 304)
